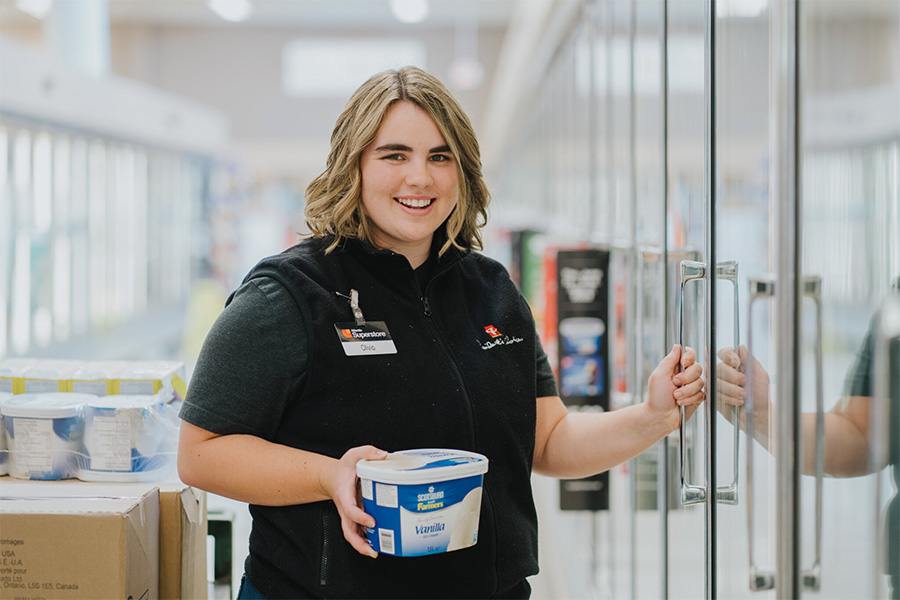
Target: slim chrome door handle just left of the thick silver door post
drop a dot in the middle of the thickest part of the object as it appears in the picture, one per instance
(760, 579)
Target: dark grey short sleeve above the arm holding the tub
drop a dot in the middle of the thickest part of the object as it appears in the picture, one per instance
(252, 363)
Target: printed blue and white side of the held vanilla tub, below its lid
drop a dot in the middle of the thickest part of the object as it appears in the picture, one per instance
(415, 520)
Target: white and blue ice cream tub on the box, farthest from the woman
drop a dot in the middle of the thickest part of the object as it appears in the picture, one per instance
(44, 434)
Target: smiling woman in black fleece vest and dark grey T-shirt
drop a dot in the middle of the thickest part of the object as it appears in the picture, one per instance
(281, 407)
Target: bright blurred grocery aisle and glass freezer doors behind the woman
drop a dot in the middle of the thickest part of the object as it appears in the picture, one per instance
(151, 152)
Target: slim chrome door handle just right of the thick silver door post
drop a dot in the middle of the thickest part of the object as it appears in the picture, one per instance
(812, 288)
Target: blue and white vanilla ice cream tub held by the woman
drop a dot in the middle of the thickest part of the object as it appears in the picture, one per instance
(424, 501)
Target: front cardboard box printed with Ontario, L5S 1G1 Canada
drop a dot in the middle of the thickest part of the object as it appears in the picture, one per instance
(79, 547)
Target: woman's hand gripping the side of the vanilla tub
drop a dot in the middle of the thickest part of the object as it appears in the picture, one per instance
(341, 485)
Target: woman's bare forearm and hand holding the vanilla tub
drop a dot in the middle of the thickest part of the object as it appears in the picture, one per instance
(250, 469)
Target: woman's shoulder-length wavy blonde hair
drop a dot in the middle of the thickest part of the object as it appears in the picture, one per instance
(334, 198)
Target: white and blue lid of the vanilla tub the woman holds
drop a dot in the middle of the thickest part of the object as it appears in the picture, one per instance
(423, 465)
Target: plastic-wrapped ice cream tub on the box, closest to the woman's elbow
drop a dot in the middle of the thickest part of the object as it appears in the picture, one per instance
(125, 439)
